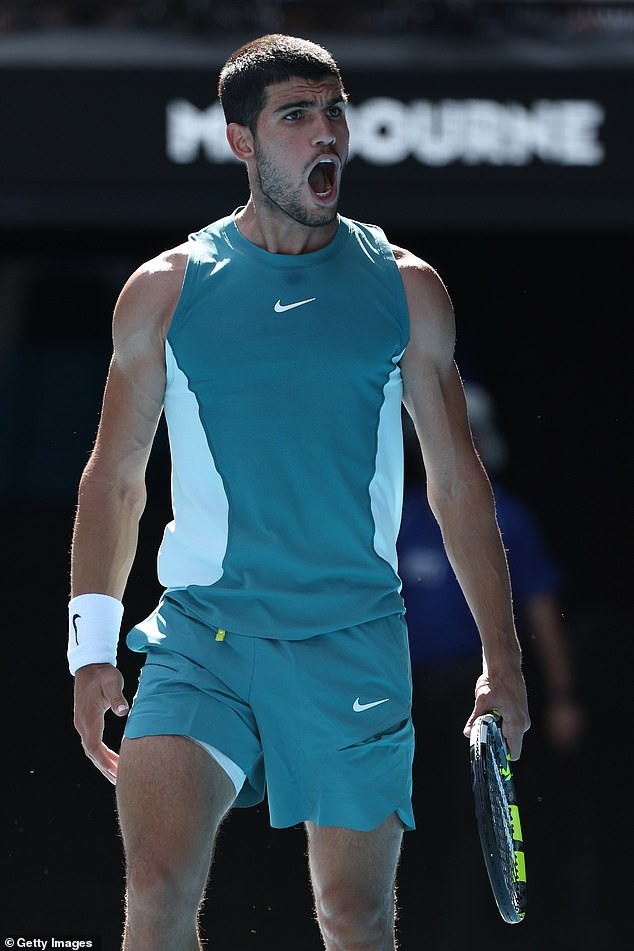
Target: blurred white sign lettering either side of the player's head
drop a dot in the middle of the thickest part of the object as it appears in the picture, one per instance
(386, 131)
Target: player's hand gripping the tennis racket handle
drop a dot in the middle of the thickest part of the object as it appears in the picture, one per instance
(508, 696)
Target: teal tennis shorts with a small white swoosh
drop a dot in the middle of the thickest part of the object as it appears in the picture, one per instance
(323, 725)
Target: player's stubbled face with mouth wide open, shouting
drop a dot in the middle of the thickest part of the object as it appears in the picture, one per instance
(301, 146)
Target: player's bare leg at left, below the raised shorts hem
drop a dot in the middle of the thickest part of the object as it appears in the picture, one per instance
(171, 797)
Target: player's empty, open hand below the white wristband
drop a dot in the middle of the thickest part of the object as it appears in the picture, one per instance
(98, 687)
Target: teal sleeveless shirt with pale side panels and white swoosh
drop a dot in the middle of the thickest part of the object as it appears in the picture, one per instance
(283, 407)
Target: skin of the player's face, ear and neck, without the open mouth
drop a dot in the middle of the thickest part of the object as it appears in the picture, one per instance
(302, 124)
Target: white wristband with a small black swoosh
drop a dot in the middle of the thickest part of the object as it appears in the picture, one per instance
(93, 630)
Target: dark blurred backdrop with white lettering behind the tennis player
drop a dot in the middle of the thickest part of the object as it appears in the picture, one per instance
(495, 140)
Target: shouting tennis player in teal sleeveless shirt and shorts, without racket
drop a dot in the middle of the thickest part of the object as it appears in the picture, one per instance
(279, 342)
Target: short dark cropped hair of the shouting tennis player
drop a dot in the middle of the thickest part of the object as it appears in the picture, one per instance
(274, 58)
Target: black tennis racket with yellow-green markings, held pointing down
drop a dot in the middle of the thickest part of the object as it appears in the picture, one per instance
(497, 816)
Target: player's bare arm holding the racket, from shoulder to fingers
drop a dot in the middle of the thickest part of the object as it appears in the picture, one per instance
(460, 494)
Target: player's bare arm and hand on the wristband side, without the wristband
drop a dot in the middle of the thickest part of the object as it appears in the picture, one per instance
(112, 487)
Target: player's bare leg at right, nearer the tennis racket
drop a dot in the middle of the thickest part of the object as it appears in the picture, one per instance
(353, 877)
